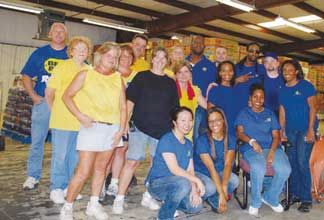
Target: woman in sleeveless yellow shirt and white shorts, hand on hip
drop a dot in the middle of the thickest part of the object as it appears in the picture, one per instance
(102, 115)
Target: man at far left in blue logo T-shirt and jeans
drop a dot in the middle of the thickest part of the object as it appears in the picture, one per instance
(40, 65)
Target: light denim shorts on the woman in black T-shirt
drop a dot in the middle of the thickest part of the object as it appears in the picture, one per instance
(137, 143)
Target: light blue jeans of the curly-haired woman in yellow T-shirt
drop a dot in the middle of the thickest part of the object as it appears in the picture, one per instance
(64, 157)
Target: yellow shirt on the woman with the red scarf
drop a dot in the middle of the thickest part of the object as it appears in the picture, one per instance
(191, 104)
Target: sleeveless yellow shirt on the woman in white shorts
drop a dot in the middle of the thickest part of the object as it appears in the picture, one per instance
(101, 96)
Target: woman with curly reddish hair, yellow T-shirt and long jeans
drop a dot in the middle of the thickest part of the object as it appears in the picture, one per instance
(64, 126)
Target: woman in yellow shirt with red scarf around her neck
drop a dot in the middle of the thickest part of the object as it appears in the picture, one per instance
(189, 95)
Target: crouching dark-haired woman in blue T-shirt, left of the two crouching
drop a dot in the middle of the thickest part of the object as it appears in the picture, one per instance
(172, 178)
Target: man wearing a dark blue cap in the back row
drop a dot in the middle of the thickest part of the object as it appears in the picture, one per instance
(273, 81)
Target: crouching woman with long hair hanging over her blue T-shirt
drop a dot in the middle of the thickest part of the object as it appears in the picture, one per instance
(214, 155)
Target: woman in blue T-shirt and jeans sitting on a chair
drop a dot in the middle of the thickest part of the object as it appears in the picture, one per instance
(258, 127)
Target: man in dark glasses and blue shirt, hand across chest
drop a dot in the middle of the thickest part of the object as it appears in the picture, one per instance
(248, 72)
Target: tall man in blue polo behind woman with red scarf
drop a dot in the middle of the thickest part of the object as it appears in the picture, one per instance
(203, 73)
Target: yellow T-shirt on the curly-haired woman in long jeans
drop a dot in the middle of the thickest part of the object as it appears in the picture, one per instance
(62, 76)
